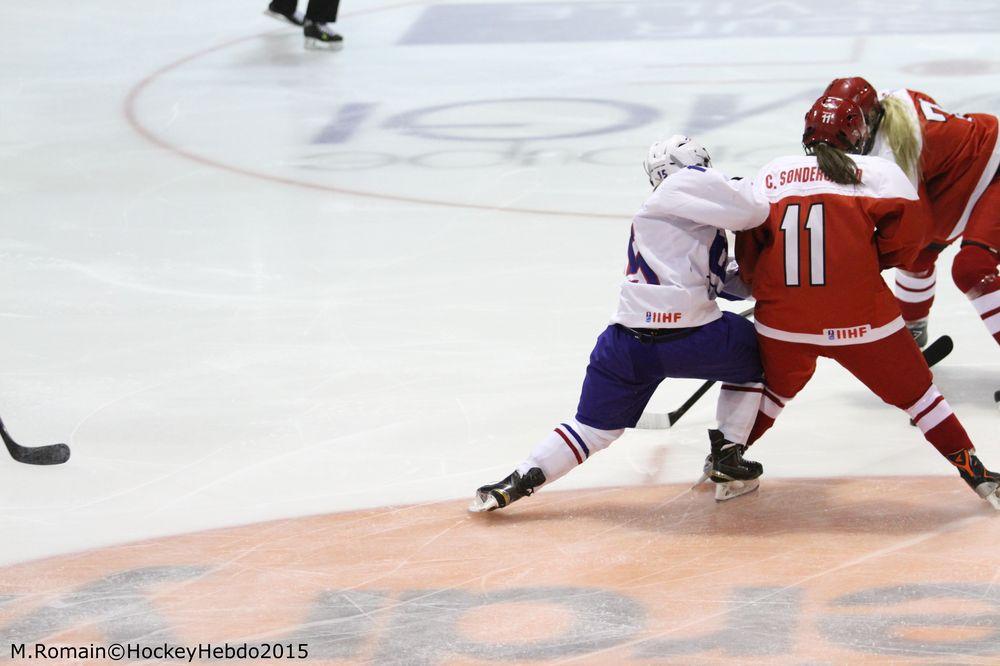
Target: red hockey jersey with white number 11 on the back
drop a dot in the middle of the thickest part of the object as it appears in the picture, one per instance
(815, 263)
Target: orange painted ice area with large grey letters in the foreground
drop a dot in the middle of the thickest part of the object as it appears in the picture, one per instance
(861, 570)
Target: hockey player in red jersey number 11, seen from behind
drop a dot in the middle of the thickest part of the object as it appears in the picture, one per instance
(836, 220)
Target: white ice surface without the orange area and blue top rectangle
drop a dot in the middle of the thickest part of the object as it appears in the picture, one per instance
(223, 347)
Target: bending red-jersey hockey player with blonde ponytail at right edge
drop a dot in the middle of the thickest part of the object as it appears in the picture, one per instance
(953, 159)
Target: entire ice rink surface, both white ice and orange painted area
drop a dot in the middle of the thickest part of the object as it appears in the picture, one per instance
(339, 291)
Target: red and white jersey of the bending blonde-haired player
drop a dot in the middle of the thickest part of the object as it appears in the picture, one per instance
(959, 156)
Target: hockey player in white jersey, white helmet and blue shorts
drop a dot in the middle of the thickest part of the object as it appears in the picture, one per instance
(667, 325)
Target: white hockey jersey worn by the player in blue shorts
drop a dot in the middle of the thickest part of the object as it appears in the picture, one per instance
(678, 253)
